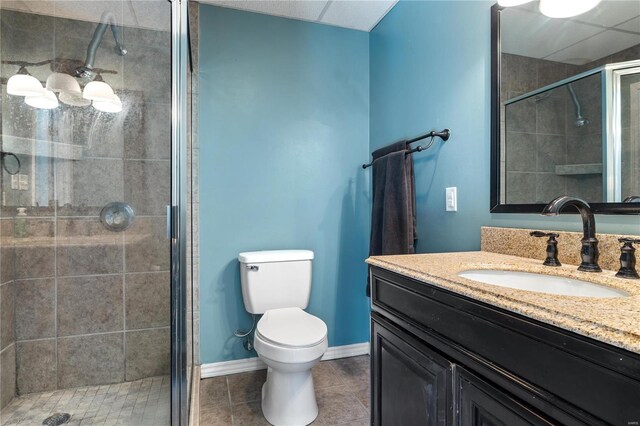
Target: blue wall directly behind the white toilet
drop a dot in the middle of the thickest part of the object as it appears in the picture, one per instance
(284, 125)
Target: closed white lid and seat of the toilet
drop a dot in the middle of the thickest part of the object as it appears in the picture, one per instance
(291, 328)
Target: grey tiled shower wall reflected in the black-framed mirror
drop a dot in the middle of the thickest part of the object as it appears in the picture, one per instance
(541, 134)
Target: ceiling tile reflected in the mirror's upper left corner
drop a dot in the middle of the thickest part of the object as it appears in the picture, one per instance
(537, 36)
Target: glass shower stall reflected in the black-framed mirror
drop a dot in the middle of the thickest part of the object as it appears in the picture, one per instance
(576, 136)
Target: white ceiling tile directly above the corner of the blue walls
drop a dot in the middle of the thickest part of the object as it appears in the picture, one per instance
(360, 15)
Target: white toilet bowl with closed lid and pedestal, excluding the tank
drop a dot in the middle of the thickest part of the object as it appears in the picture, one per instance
(291, 342)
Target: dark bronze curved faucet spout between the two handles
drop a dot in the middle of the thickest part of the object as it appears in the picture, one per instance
(589, 251)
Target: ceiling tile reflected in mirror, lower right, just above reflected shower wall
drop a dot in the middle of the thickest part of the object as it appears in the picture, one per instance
(596, 47)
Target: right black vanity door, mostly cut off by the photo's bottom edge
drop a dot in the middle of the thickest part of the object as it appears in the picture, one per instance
(482, 404)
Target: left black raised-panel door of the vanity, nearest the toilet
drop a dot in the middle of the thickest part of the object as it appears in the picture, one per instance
(411, 384)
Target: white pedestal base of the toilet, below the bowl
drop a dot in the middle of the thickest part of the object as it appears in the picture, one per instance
(288, 398)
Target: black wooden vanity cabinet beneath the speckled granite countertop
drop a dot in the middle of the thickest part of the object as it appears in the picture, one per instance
(440, 358)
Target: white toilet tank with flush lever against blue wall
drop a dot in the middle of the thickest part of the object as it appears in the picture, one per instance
(275, 279)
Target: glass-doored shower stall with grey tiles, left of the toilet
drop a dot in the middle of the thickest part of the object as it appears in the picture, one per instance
(95, 315)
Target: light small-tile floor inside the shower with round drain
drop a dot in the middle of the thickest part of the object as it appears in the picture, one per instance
(141, 402)
